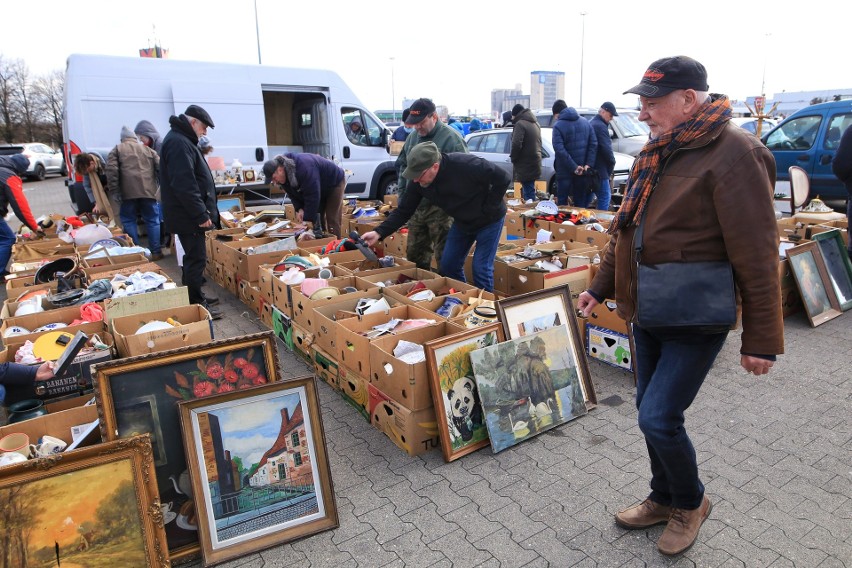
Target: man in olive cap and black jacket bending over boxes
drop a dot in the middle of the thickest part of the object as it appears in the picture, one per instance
(466, 188)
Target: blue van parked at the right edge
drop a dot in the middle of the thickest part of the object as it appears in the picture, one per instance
(808, 138)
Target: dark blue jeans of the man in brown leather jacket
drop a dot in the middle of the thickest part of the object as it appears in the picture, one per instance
(670, 368)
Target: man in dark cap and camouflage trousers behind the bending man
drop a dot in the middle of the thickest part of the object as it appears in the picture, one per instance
(428, 227)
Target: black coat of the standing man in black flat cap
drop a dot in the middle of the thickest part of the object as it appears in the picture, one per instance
(186, 184)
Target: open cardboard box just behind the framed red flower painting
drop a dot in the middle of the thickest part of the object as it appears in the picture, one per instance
(196, 328)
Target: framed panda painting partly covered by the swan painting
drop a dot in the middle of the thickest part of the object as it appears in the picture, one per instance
(461, 423)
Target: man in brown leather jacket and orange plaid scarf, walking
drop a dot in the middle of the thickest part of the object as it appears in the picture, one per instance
(702, 189)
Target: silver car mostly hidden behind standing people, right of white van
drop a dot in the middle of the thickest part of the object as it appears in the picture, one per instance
(494, 145)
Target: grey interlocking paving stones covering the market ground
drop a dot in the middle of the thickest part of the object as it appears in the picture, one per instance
(775, 455)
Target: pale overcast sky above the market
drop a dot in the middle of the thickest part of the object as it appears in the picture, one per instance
(457, 52)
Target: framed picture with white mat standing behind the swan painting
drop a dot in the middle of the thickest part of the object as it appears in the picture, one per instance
(536, 311)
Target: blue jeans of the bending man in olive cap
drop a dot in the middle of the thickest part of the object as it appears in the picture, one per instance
(458, 245)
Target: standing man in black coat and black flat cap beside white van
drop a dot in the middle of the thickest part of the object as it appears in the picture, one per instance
(189, 196)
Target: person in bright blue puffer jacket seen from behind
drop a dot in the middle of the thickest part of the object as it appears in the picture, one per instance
(575, 145)
